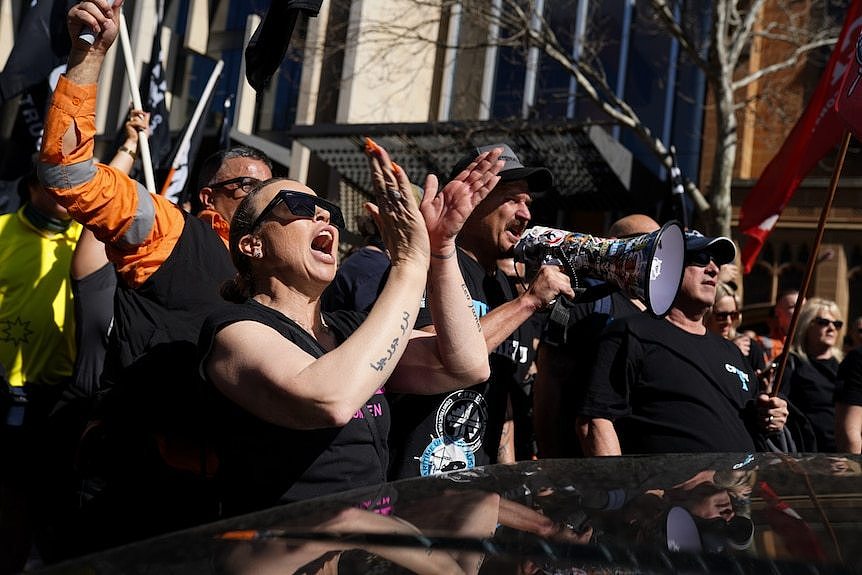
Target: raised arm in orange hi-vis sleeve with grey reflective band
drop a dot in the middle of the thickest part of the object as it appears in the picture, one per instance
(139, 229)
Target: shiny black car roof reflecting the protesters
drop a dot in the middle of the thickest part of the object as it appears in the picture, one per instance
(680, 513)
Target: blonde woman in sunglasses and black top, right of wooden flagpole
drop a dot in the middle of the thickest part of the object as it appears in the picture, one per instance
(815, 354)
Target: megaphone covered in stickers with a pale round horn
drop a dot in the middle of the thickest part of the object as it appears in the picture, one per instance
(648, 267)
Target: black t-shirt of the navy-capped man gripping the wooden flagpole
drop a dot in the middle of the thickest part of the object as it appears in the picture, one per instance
(670, 391)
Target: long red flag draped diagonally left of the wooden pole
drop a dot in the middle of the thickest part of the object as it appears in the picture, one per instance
(816, 133)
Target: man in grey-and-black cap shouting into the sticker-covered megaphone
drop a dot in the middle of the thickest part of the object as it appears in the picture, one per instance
(460, 430)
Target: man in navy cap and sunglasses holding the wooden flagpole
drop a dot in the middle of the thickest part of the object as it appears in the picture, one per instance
(670, 386)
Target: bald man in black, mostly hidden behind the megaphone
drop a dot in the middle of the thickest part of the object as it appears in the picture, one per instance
(563, 367)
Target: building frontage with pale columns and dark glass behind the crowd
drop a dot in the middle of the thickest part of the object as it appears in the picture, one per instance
(430, 79)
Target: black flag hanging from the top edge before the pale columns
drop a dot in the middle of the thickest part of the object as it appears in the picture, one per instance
(268, 44)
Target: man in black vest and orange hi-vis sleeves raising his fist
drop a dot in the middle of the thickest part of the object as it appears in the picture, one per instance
(170, 266)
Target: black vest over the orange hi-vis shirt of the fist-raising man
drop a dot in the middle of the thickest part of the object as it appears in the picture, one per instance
(152, 354)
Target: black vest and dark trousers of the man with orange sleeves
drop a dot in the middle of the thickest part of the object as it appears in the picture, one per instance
(149, 449)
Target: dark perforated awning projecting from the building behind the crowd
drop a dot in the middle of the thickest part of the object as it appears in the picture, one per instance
(592, 171)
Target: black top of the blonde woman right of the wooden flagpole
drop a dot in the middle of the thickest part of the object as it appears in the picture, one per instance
(810, 386)
